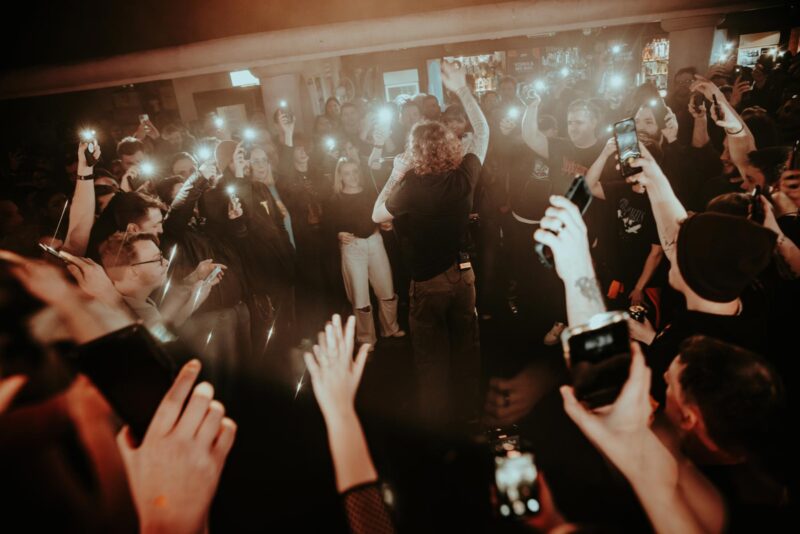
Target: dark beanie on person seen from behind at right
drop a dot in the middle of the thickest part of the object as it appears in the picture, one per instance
(719, 255)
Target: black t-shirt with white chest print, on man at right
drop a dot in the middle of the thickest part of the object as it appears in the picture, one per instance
(632, 233)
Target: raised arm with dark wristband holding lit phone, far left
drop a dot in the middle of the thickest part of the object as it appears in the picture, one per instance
(81, 212)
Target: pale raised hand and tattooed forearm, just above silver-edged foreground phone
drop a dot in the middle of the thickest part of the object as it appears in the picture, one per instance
(562, 229)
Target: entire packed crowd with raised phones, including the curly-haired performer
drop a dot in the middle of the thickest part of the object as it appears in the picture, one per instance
(225, 253)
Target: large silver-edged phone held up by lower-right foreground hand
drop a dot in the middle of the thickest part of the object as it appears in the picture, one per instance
(599, 358)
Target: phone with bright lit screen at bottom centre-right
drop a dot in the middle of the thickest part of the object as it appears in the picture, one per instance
(517, 482)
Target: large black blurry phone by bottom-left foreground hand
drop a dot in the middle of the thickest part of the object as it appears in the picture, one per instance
(132, 371)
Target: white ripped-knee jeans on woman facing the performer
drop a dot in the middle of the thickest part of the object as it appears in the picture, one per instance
(364, 262)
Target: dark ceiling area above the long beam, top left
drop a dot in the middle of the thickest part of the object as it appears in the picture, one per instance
(52, 32)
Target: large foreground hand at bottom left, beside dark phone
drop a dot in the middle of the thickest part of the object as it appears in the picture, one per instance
(173, 474)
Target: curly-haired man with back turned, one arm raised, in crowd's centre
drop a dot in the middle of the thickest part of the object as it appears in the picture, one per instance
(430, 194)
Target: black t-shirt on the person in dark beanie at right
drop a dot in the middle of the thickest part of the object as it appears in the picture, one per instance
(747, 330)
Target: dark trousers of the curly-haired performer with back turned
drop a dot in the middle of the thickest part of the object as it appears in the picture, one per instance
(444, 329)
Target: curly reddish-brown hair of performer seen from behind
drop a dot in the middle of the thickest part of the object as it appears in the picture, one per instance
(435, 149)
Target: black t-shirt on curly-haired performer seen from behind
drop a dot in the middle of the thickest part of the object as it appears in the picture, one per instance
(432, 213)
